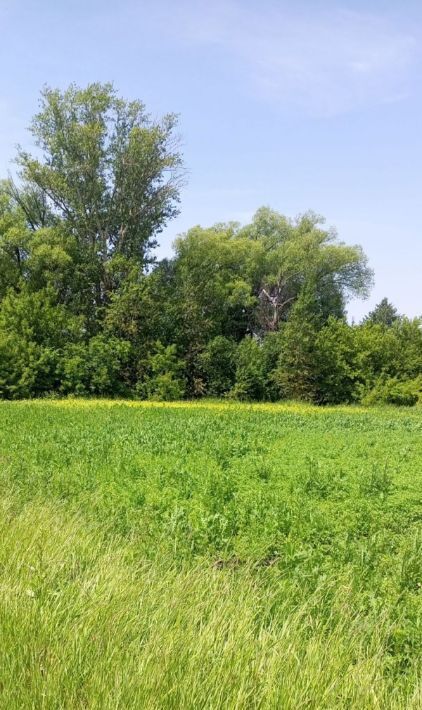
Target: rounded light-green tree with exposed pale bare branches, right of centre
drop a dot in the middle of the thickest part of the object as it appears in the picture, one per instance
(297, 253)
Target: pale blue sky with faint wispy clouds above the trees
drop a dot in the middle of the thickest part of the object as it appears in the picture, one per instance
(297, 105)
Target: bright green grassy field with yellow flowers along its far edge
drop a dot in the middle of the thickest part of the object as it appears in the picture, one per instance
(209, 556)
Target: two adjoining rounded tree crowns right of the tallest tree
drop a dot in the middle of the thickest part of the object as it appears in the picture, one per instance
(235, 280)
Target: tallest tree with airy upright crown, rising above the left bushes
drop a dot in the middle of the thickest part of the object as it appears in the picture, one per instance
(107, 174)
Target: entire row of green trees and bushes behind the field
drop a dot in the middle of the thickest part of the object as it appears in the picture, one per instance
(250, 312)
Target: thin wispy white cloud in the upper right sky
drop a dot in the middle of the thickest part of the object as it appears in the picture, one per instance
(322, 62)
